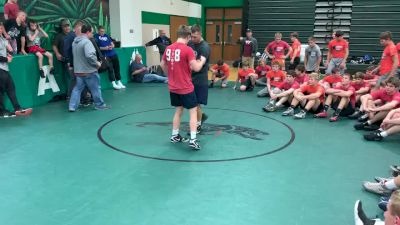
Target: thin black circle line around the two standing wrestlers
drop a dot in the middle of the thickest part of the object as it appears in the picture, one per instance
(99, 135)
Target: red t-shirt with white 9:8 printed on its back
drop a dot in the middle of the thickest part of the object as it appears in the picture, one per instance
(178, 57)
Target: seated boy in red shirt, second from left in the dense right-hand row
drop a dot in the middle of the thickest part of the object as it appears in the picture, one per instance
(283, 93)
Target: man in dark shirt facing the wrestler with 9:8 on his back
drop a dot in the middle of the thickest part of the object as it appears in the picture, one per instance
(200, 79)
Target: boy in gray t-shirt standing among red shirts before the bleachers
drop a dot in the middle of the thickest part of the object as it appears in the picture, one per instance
(313, 57)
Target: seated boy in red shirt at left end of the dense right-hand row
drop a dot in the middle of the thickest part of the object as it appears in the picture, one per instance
(274, 78)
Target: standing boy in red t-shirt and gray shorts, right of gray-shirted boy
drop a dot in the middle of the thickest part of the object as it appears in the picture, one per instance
(338, 51)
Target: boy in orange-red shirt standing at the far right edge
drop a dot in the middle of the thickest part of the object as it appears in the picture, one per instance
(390, 59)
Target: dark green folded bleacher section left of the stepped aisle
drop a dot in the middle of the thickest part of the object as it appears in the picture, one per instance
(266, 17)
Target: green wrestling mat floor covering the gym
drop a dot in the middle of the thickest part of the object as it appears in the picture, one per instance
(118, 166)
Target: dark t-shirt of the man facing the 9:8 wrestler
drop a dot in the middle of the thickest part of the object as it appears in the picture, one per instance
(201, 49)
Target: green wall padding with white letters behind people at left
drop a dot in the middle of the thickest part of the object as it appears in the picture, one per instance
(26, 77)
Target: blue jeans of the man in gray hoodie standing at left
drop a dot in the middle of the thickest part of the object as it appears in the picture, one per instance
(91, 81)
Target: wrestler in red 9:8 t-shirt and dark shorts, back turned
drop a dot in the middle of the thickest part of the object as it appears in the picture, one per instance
(178, 62)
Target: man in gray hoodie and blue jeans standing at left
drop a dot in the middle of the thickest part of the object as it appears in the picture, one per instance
(85, 70)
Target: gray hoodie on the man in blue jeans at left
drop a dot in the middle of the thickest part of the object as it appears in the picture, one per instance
(84, 53)
